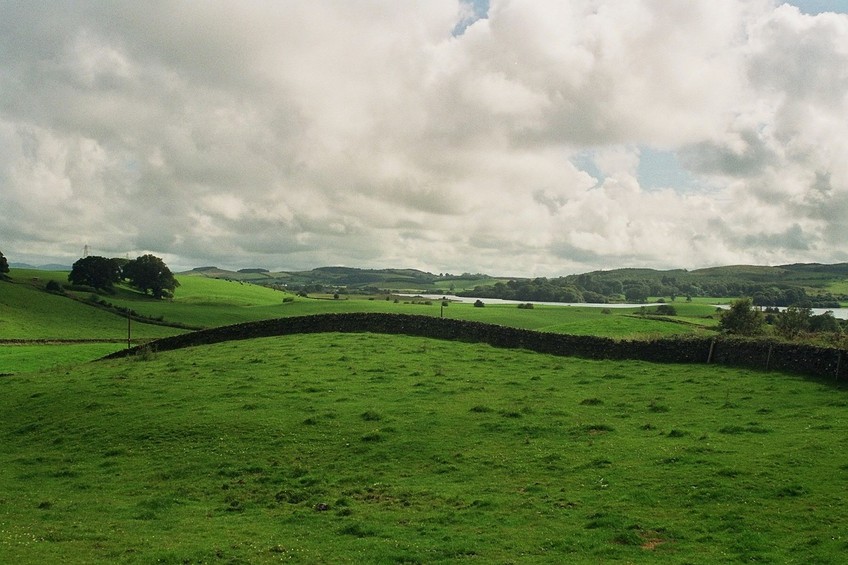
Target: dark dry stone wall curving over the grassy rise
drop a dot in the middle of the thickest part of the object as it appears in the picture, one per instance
(792, 358)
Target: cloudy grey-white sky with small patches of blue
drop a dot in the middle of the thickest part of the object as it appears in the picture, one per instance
(512, 137)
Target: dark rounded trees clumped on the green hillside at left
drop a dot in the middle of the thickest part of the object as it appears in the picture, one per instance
(147, 273)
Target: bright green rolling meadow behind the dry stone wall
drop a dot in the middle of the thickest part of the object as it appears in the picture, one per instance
(29, 315)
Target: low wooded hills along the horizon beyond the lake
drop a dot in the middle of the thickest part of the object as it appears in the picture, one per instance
(808, 283)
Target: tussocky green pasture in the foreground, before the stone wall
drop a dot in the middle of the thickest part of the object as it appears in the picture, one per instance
(356, 448)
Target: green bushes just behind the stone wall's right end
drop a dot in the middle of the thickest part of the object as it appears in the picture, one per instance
(745, 318)
